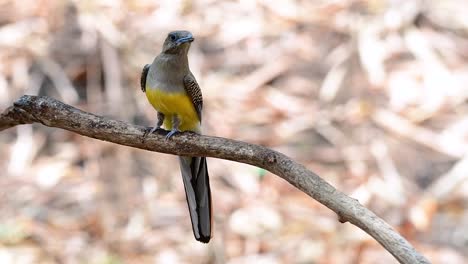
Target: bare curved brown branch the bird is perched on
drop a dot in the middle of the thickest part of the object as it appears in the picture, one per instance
(53, 113)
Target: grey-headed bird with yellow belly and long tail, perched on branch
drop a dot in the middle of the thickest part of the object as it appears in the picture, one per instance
(174, 93)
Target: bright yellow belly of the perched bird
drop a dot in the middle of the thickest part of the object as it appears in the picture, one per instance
(171, 104)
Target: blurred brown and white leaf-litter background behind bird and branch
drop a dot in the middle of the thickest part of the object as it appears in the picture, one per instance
(371, 95)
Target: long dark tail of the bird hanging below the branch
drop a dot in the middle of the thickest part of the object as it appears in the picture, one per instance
(197, 190)
